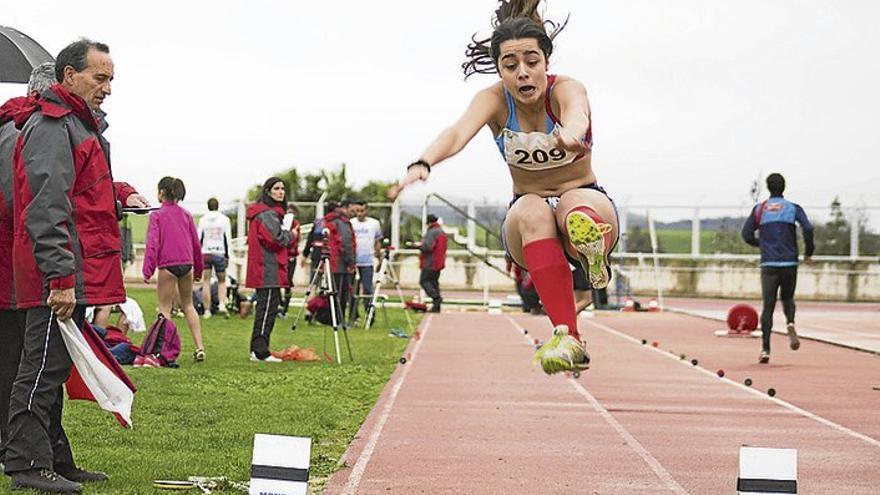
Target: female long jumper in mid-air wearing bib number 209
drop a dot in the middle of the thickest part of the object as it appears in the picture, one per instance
(541, 123)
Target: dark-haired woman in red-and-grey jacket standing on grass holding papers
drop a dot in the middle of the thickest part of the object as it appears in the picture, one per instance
(268, 241)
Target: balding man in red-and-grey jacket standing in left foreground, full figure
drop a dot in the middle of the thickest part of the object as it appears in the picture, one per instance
(66, 254)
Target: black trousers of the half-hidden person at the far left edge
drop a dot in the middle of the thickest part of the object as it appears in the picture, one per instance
(12, 325)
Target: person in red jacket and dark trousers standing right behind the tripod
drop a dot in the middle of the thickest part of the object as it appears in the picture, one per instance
(340, 236)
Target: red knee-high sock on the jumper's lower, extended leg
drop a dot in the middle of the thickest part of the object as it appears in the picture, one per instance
(551, 275)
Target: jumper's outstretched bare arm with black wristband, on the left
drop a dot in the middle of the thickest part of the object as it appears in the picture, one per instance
(454, 138)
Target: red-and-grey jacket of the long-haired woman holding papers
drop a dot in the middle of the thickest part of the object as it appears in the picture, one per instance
(267, 247)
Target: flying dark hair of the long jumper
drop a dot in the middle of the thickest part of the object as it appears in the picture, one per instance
(514, 19)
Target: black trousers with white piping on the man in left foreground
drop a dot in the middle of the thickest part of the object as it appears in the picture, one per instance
(36, 436)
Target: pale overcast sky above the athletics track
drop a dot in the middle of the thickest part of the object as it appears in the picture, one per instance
(692, 99)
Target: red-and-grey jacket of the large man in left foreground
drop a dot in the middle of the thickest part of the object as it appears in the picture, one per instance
(66, 227)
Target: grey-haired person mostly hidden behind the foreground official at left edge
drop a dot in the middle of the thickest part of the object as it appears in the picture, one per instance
(12, 321)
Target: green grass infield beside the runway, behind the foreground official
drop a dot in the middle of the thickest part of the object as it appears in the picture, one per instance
(200, 419)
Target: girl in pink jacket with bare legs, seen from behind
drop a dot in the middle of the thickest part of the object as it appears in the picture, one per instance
(173, 247)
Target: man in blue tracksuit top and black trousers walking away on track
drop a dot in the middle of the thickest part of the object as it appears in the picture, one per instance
(775, 218)
